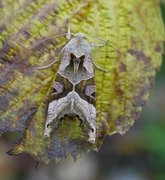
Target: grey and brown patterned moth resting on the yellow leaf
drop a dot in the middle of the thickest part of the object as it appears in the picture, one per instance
(73, 91)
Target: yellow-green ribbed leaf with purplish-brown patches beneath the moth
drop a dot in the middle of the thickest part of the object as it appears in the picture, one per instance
(134, 31)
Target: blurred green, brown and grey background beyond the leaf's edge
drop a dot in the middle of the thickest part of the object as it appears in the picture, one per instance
(139, 155)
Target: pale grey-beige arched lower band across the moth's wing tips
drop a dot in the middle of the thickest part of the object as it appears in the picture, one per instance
(72, 105)
